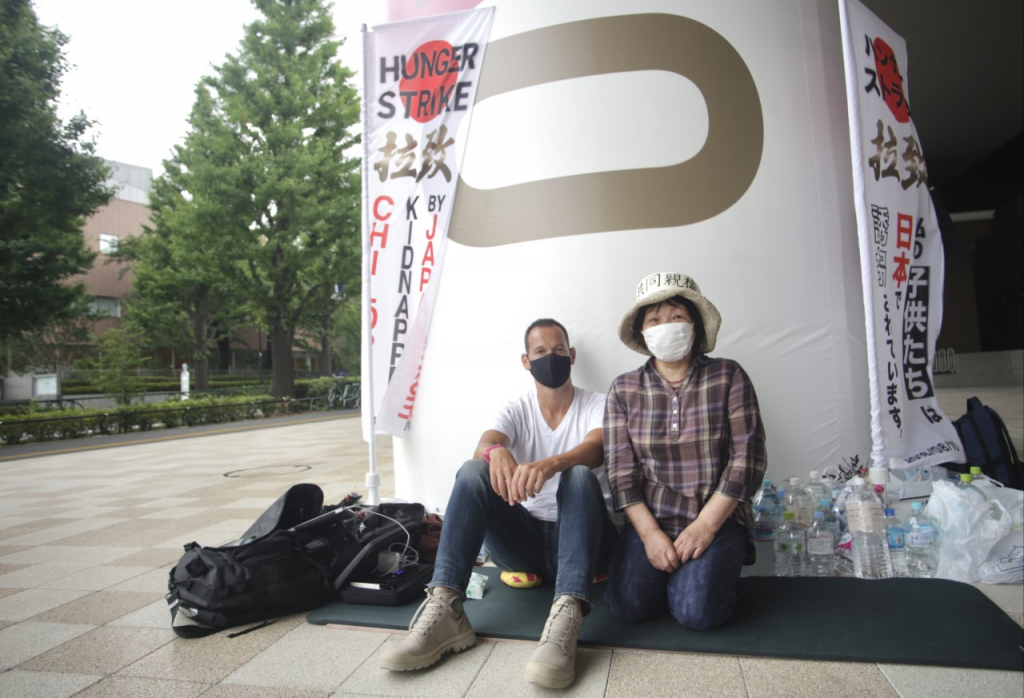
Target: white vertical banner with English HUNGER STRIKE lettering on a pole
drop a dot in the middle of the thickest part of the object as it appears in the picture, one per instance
(421, 78)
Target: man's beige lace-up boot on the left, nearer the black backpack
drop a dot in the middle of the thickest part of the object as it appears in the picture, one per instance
(440, 626)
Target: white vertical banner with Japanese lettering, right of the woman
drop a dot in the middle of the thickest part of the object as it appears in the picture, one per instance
(902, 254)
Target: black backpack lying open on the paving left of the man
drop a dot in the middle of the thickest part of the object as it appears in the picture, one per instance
(292, 560)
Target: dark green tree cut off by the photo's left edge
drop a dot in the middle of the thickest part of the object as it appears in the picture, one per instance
(50, 180)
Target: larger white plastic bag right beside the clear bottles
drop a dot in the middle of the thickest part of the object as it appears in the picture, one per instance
(971, 528)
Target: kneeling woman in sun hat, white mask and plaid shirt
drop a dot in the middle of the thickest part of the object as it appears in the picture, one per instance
(686, 451)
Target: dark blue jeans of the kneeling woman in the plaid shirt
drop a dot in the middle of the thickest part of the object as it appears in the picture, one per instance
(701, 595)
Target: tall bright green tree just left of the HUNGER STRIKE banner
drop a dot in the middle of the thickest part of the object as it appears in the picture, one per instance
(274, 191)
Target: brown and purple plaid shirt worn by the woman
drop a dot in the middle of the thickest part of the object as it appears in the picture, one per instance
(673, 450)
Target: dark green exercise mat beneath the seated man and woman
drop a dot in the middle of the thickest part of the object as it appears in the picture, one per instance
(899, 622)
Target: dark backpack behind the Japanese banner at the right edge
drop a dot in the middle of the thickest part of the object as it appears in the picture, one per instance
(988, 445)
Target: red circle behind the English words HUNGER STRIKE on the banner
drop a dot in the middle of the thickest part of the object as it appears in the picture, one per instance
(429, 80)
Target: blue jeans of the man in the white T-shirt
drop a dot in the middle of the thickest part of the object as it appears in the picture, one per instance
(568, 550)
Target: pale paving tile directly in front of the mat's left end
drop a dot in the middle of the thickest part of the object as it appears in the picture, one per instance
(310, 659)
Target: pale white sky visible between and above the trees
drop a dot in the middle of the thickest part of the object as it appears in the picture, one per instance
(135, 64)
